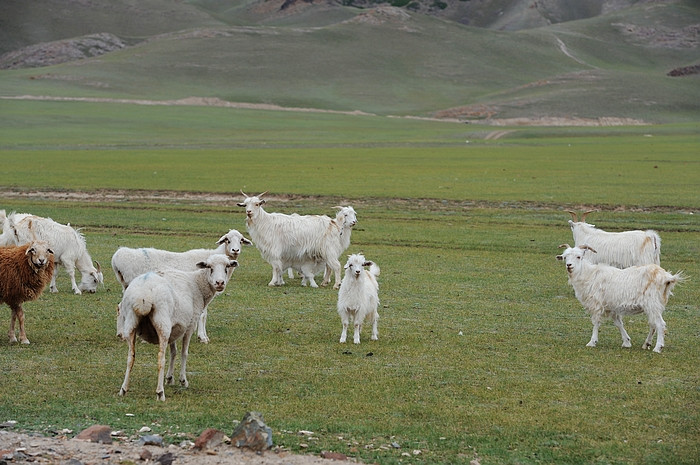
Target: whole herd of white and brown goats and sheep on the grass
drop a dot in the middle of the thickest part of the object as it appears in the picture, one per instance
(166, 294)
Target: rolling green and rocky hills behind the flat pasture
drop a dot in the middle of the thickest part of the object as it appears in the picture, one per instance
(535, 62)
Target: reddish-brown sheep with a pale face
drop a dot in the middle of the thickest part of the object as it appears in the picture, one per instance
(24, 273)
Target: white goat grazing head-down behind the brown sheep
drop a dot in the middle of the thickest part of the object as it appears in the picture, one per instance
(68, 246)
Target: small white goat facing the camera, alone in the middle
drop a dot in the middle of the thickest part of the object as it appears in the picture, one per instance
(358, 297)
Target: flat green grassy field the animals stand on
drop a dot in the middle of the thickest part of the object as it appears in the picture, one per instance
(482, 343)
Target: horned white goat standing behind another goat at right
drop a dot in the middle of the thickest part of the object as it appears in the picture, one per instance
(619, 249)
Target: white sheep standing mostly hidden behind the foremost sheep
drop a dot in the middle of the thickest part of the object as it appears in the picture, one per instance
(129, 263)
